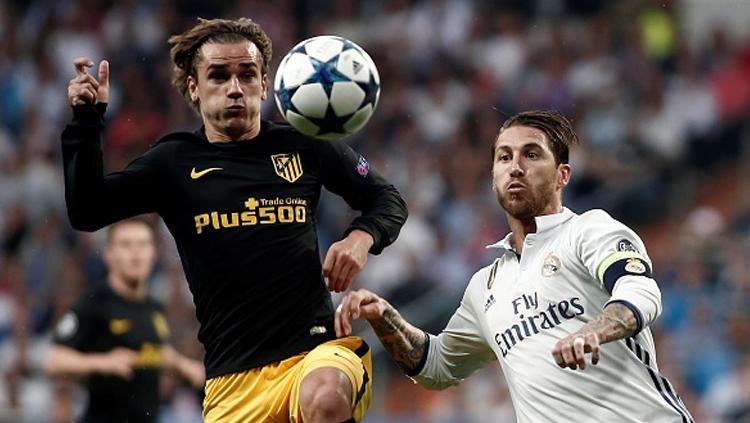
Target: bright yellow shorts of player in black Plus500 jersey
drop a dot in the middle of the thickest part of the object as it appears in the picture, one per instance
(270, 394)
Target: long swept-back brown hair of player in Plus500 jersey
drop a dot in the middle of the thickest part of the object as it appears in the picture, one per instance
(185, 50)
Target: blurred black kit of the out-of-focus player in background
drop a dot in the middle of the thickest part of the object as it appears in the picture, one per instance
(102, 321)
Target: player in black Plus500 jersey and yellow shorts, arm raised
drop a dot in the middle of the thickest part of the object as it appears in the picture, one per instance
(240, 195)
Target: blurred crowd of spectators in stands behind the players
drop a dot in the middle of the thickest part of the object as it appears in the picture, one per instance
(659, 92)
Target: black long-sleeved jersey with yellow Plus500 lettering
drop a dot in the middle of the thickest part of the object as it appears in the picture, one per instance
(243, 216)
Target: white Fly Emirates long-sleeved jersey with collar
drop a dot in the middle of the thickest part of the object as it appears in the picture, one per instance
(516, 309)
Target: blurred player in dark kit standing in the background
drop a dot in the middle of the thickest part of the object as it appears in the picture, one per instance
(114, 336)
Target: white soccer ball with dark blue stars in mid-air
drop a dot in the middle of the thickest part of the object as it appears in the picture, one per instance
(327, 87)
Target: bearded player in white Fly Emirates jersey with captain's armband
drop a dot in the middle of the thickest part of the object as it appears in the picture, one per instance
(563, 286)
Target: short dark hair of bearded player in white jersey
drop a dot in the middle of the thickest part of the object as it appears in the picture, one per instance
(558, 128)
